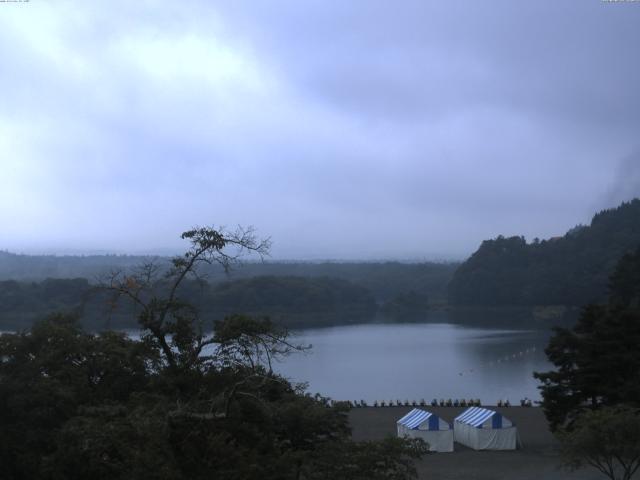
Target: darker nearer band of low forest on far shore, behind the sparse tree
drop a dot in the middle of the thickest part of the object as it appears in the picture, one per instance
(289, 301)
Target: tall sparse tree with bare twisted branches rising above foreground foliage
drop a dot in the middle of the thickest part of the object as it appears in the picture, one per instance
(170, 324)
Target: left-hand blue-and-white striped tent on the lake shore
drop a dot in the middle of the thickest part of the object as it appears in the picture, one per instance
(429, 427)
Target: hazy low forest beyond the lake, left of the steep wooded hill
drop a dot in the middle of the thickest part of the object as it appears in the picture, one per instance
(292, 294)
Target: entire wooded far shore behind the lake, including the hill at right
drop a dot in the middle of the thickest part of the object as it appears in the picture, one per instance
(542, 282)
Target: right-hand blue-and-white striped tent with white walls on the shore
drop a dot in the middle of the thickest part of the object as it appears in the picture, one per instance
(483, 429)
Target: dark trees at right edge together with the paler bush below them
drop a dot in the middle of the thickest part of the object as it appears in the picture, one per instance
(592, 396)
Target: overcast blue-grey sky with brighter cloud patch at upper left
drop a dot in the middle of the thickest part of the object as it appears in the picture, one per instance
(342, 129)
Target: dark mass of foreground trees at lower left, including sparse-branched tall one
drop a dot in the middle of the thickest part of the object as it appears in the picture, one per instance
(179, 404)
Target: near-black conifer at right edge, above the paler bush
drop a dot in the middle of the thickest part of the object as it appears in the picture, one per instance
(598, 360)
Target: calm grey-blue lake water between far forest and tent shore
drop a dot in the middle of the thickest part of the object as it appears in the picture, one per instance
(414, 361)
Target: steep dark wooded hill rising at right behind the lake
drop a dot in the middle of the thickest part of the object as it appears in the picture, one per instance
(568, 270)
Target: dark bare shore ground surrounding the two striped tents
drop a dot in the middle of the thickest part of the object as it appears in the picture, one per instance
(536, 460)
